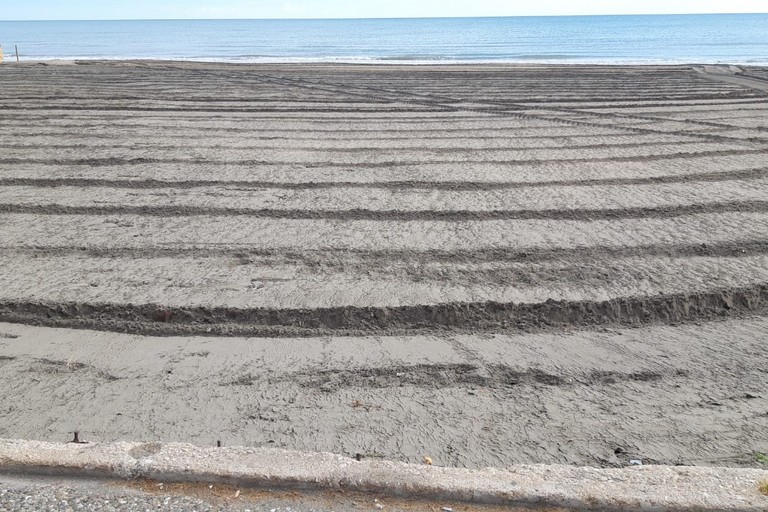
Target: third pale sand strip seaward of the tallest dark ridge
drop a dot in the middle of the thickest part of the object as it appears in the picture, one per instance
(617, 200)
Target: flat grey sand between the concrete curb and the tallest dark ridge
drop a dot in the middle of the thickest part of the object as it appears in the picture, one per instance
(693, 394)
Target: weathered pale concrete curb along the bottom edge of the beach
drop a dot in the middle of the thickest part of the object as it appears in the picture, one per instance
(636, 488)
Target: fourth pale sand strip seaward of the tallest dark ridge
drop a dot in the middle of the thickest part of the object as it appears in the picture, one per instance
(425, 176)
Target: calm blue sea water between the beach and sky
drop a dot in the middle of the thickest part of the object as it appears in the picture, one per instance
(719, 38)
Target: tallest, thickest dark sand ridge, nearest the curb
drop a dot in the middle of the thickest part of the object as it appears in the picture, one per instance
(475, 318)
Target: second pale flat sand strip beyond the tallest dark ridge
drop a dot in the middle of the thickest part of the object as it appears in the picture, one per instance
(127, 231)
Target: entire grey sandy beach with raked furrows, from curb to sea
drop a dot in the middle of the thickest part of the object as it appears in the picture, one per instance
(483, 264)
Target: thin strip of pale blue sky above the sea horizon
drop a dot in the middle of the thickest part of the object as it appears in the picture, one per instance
(143, 9)
